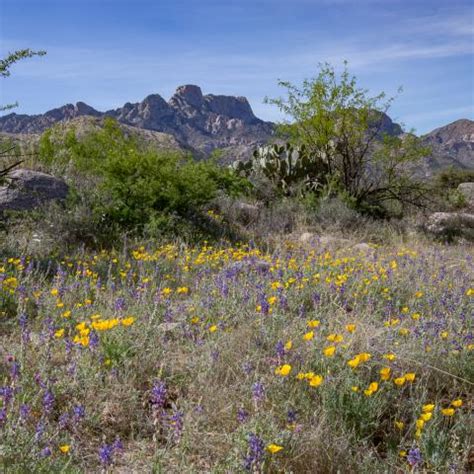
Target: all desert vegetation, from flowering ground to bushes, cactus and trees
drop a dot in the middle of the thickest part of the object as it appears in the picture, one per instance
(284, 314)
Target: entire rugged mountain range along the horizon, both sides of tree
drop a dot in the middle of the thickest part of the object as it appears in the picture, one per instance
(203, 123)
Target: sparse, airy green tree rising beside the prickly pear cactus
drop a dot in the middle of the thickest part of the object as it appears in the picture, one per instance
(345, 127)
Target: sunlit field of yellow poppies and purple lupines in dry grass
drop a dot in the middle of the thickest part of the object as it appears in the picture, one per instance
(220, 359)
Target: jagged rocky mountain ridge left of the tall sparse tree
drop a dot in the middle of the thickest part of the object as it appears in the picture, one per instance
(198, 122)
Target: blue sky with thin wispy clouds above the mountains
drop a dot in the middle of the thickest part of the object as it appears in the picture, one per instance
(108, 52)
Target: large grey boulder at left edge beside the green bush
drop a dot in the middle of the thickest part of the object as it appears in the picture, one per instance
(28, 189)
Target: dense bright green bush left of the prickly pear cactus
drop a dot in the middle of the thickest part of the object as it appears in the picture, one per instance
(137, 187)
